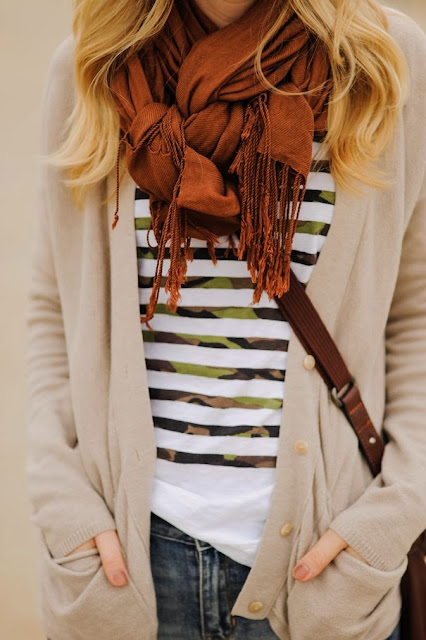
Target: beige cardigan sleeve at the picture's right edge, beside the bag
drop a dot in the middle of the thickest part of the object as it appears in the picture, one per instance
(393, 508)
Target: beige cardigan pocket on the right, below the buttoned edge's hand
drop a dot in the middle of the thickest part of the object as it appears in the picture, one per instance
(349, 600)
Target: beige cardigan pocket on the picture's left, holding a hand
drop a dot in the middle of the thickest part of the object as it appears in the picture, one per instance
(77, 602)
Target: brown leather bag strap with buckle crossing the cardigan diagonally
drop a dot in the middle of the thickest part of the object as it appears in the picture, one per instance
(298, 310)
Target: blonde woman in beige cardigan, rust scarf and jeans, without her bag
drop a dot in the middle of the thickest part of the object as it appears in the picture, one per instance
(254, 132)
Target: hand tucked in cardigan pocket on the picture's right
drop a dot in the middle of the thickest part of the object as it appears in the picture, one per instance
(321, 554)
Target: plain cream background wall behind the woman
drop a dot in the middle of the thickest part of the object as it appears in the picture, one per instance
(29, 32)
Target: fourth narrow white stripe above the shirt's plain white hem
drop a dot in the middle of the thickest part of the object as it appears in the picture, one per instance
(211, 357)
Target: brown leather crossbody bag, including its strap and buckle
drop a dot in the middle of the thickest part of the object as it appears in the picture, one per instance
(298, 310)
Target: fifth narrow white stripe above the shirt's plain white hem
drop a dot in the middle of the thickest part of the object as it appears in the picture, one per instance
(277, 329)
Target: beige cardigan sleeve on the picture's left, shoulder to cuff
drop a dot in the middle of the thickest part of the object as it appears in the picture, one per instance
(63, 502)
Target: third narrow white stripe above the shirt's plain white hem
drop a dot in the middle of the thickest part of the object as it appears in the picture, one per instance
(215, 387)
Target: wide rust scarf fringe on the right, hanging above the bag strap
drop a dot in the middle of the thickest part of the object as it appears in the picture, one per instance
(271, 195)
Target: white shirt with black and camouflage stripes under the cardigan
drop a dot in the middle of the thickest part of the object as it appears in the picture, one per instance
(216, 374)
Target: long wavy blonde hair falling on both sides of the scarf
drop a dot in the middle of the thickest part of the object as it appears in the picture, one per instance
(369, 71)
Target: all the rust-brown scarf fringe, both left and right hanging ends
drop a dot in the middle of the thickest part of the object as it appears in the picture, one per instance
(271, 194)
